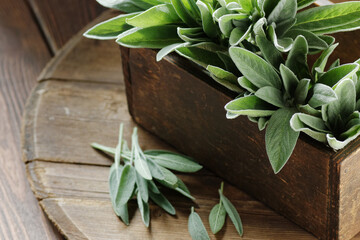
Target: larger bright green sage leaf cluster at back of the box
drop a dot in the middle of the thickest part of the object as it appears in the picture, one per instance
(203, 30)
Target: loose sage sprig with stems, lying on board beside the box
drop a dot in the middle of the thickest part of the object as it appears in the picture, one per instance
(135, 174)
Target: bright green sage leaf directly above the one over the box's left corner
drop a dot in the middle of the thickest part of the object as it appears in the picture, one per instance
(156, 16)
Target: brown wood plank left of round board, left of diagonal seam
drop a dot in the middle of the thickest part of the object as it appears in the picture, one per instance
(23, 54)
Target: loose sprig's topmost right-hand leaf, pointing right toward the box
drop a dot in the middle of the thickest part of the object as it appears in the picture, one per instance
(173, 161)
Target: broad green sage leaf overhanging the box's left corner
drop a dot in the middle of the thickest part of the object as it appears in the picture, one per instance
(152, 37)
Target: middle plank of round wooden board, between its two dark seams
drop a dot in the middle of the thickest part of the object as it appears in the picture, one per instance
(64, 117)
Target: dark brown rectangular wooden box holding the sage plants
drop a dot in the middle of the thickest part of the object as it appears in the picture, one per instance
(318, 189)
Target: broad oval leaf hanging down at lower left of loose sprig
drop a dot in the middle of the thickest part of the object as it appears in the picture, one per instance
(126, 185)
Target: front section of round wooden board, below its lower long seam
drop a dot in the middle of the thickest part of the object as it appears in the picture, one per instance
(77, 201)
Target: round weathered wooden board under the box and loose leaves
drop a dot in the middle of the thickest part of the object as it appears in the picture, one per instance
(80, 98)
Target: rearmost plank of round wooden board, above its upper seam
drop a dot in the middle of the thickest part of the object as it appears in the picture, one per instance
(90, 60)
